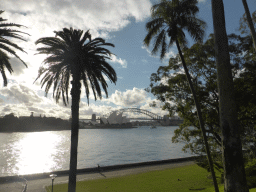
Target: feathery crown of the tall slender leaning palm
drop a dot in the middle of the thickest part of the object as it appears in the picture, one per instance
(169, 20)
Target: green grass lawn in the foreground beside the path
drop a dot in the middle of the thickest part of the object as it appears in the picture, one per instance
(187, 178)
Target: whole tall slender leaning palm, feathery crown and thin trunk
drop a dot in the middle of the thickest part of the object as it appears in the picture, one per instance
(168, 21)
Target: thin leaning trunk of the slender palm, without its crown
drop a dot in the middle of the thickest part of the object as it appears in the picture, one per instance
(199, 113)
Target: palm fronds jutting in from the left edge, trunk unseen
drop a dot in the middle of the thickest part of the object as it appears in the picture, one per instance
(6, 46)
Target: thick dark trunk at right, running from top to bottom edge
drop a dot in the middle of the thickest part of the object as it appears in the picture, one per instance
(234, 173)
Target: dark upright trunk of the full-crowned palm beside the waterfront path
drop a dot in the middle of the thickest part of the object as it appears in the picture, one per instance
(75, 92)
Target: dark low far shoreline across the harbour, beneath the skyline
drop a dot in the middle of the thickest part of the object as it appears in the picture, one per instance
(11, 123)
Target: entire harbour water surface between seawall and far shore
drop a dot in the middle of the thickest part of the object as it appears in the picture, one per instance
(36, 152)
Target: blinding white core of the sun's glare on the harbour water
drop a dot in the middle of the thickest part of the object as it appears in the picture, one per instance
(37, 152)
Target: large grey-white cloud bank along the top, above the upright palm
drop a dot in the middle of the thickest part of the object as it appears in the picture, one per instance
(43, 17)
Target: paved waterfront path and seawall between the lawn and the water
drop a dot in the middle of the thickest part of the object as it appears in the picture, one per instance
(37, 182)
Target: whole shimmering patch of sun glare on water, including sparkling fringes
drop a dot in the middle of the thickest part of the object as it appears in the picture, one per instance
(34, 152)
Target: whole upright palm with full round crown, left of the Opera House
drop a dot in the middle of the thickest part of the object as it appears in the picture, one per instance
(69, 55)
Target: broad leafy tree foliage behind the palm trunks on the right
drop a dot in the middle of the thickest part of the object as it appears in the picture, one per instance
(170, 86)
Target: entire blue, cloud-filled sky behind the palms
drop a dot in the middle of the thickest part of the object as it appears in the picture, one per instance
(121, 22)
